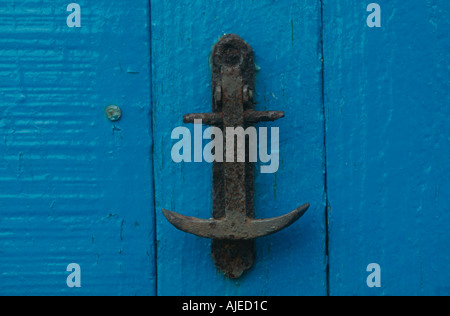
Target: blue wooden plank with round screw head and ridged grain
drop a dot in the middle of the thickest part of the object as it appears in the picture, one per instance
(75, 187)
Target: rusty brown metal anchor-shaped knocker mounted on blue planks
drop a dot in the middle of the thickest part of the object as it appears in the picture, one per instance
(233, 227)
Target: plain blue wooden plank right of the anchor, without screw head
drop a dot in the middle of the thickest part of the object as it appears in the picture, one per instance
(387, 98)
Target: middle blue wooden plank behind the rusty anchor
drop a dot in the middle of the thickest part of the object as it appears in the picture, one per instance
(286, 38)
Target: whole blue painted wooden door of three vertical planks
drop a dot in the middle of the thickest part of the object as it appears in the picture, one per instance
(365, 141)
